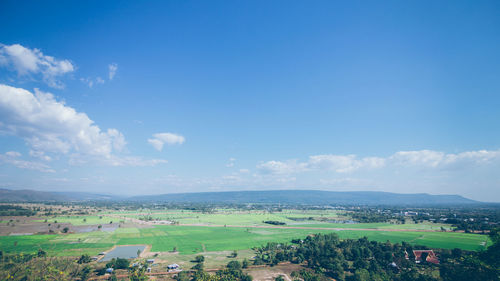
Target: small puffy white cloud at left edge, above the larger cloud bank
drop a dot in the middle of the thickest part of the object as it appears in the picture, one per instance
(27, 61)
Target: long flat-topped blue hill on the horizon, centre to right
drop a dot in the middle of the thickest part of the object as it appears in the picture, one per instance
(310, 197)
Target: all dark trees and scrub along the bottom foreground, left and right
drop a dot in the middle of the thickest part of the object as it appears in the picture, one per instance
(322, 256)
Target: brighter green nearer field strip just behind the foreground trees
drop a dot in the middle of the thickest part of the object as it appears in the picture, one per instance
(195, 239)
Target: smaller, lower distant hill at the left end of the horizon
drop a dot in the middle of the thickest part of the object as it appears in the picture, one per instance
(26, 195)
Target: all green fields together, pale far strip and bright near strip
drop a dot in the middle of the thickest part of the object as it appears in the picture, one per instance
(206, 233)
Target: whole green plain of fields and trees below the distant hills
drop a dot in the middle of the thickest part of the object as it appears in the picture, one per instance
(345, 243)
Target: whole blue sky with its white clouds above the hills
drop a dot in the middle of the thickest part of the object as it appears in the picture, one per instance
(182, 96)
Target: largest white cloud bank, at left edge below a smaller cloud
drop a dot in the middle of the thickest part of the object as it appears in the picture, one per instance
(49, 125)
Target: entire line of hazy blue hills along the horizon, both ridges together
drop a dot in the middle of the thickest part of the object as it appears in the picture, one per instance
(306, 197)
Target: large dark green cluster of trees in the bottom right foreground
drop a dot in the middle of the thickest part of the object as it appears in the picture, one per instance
(361, 259)
